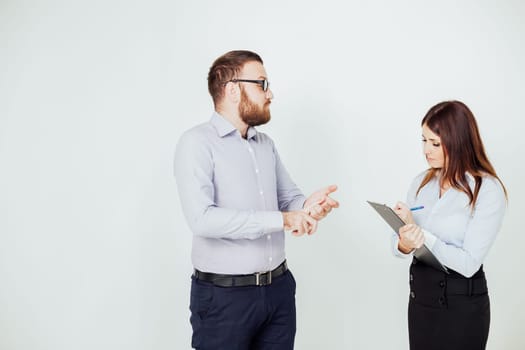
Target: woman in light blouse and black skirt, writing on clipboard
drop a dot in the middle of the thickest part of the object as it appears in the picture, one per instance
(461, 203)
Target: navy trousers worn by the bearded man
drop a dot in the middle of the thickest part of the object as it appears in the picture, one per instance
(243, 318)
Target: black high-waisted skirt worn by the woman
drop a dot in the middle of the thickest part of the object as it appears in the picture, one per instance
(447, 311)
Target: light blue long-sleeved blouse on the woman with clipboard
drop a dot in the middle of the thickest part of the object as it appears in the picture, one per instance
(459, 236)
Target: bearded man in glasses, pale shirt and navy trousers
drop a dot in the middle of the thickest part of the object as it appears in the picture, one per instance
(238, 199)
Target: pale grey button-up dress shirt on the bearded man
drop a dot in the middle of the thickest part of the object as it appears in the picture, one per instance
(232, 192)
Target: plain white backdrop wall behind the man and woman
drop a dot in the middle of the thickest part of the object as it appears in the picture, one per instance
(94, 250)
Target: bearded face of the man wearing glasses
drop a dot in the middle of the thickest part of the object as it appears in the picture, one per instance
(254, 105)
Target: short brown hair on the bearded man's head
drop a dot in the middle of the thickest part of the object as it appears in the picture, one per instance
(226, 68)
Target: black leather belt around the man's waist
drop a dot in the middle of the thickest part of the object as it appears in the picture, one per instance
(256, 279)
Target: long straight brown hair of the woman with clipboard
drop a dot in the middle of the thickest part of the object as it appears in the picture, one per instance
(464, 153)
